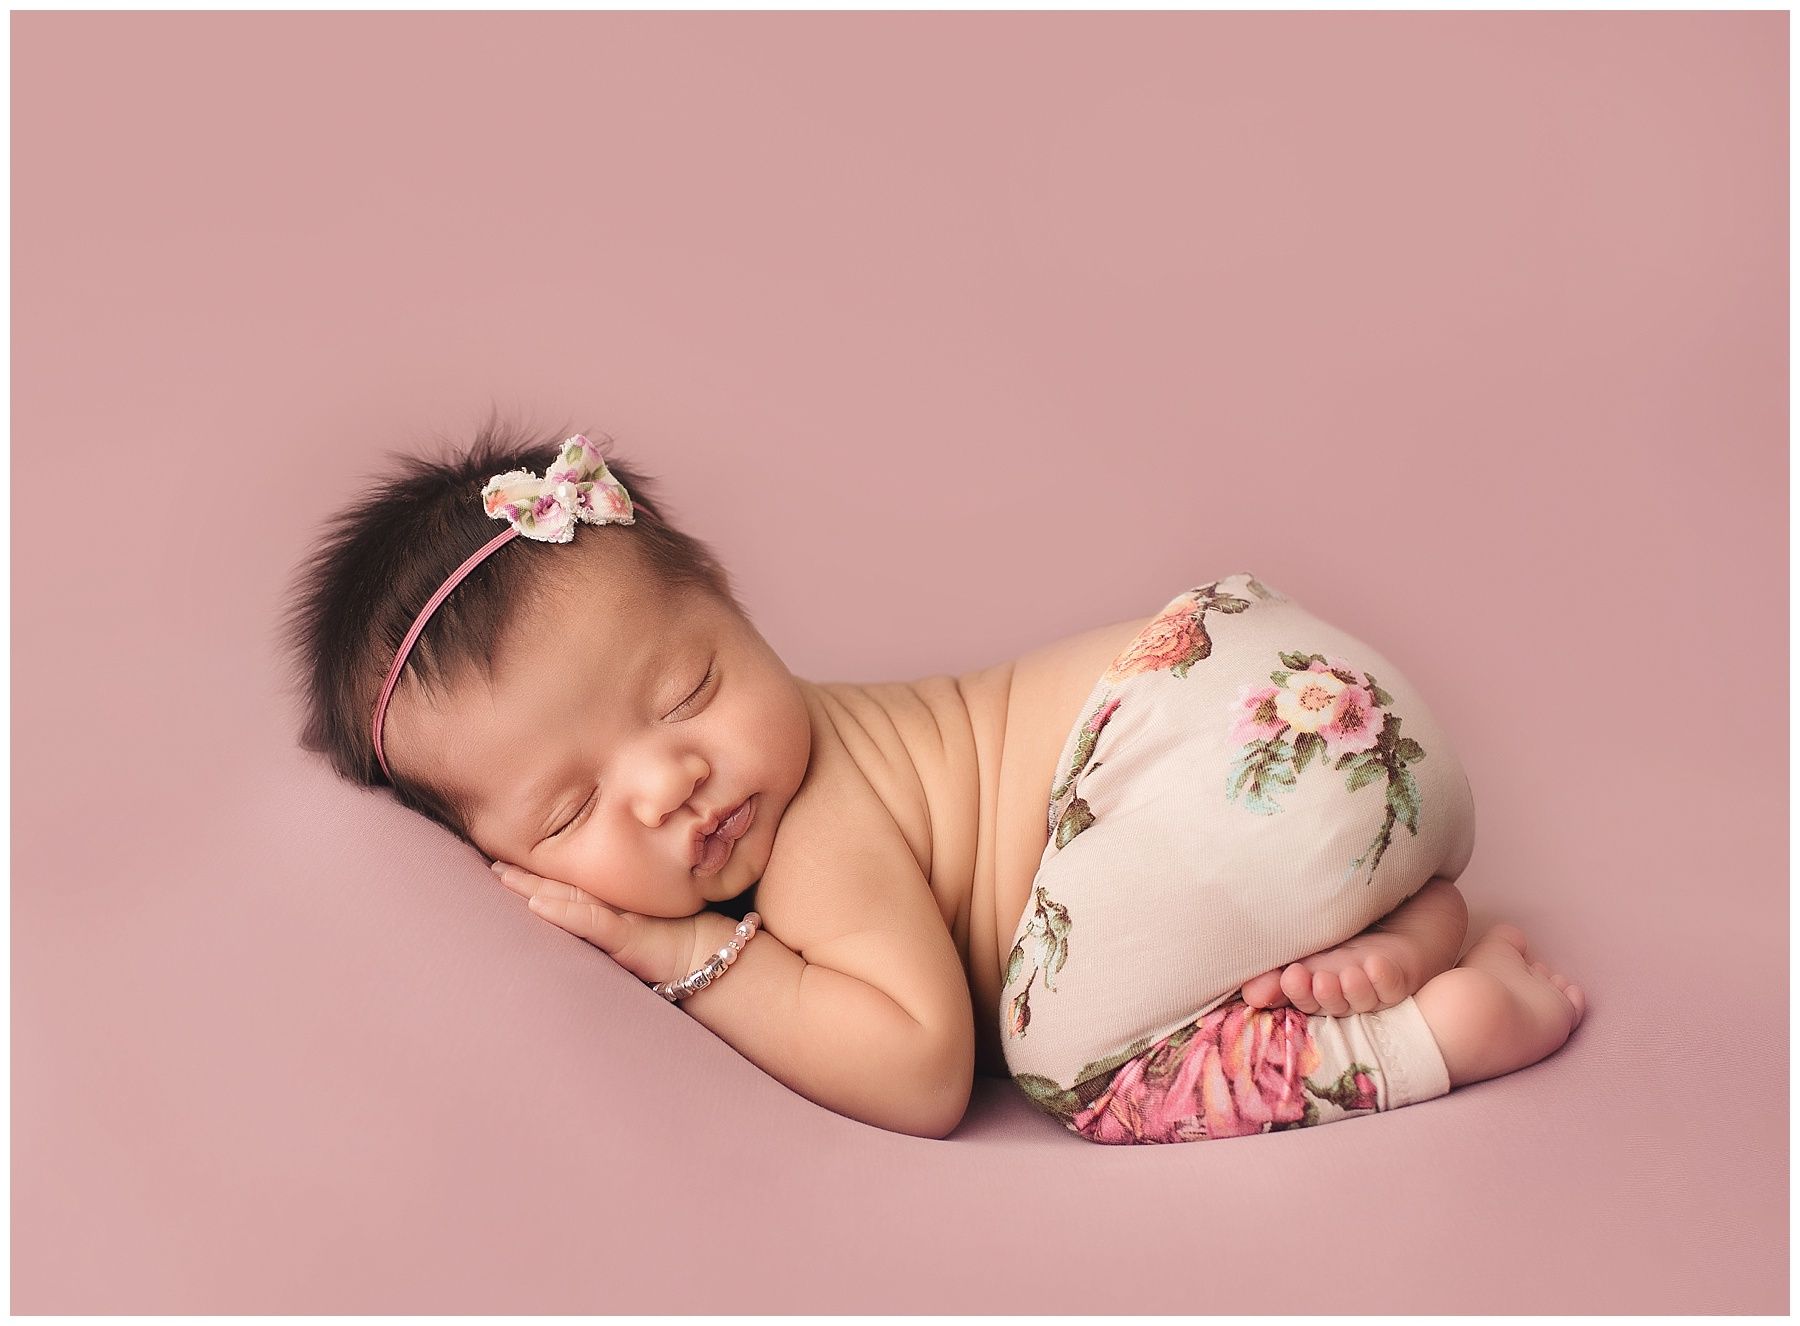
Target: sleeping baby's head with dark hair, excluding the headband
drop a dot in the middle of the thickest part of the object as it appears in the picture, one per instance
(580, 710)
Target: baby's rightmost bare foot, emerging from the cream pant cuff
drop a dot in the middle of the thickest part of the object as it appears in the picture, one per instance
(1498, 1010)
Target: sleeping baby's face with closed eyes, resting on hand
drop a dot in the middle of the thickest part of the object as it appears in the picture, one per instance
(620, 724)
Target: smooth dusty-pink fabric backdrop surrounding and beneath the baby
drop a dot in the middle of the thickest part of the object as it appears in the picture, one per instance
(955, 334)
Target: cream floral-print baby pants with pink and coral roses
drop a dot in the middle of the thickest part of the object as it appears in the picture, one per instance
(1237, 794)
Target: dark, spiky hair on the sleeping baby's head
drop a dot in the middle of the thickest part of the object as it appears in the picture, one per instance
(384, 557)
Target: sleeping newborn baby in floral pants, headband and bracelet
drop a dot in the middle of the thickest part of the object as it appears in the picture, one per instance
(1182, 877)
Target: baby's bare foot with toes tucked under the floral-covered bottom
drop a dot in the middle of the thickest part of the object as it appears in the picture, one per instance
(1376, 969)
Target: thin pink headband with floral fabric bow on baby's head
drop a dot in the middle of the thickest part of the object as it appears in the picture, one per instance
(577, 488)
